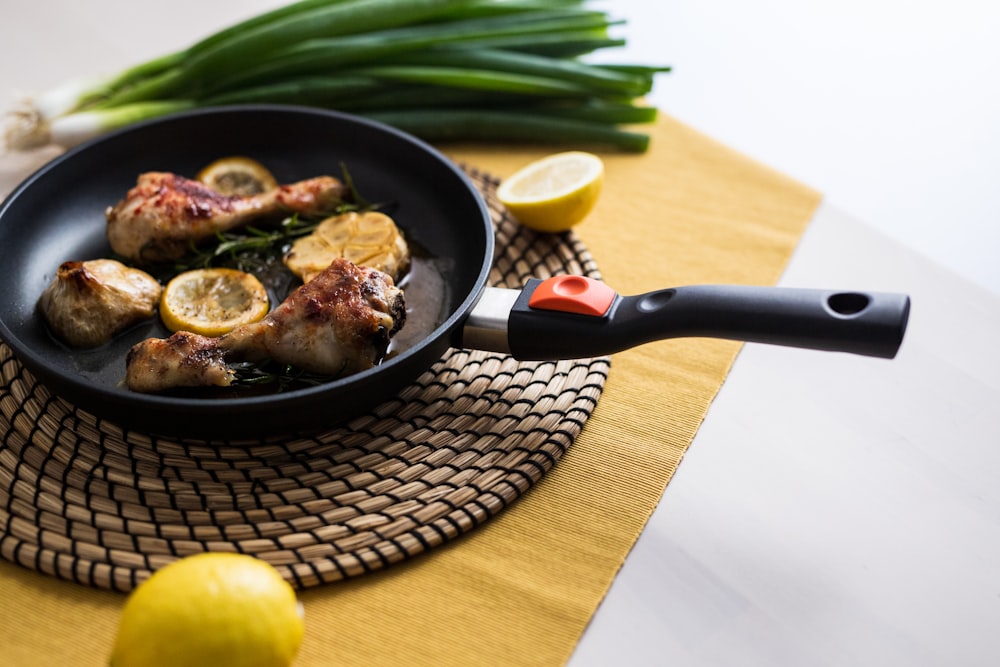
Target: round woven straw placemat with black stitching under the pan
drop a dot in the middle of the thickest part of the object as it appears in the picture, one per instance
(83, 500)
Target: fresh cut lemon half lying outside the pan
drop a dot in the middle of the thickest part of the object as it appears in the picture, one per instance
(554, 193)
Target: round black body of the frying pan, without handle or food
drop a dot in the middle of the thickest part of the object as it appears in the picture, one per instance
(58, 215)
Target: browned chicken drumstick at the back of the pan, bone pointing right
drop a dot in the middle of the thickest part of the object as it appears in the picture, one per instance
(165, 214)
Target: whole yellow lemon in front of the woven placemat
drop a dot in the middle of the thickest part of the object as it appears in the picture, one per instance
(213, 609)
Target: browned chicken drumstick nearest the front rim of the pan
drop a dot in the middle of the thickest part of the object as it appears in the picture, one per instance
(336, 324)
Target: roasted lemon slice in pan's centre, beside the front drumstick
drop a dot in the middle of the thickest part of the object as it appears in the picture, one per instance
(212, 302)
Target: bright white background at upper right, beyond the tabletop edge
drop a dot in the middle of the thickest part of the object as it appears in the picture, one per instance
(890, 108)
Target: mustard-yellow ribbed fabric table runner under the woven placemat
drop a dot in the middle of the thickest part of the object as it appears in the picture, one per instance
(521, 589)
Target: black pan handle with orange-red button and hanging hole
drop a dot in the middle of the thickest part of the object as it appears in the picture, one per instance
(562, 318)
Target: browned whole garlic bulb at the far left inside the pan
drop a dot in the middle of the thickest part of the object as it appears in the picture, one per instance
(87, 303)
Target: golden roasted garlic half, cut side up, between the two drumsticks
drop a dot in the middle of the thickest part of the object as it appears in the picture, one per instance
(367, 239)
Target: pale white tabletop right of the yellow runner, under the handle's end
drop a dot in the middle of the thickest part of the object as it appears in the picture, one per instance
(832, 510)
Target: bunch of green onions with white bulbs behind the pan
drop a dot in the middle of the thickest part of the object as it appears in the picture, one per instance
(445, 70)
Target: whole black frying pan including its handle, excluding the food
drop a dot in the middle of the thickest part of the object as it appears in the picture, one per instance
(57, 214)
